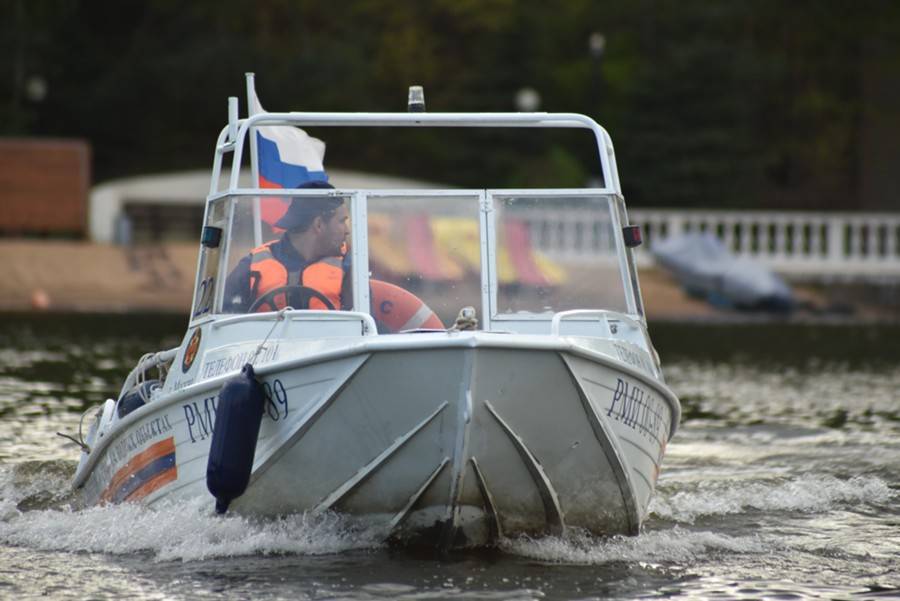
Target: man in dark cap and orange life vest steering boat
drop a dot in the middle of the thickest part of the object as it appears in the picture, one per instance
(305, 268)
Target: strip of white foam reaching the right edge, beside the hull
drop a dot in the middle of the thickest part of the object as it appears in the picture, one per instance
(806, 494)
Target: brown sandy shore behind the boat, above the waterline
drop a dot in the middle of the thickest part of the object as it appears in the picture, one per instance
(76, 276)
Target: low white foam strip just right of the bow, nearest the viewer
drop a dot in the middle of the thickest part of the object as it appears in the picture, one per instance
(673, 545)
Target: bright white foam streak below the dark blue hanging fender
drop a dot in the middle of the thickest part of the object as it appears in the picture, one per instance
(189, 531)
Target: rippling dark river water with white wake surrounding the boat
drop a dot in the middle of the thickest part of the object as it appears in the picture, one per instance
(783, 482)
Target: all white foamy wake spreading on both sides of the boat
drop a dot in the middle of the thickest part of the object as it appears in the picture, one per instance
(37, 511)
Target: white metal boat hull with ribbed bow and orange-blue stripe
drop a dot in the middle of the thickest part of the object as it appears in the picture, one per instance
(458, 443)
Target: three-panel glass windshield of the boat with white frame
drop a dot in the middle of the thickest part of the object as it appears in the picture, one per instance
(513, 255)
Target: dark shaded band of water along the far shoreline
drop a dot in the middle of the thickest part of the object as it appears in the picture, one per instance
(791, 343)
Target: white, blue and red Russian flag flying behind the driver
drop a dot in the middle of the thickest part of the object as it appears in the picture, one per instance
(286, 158)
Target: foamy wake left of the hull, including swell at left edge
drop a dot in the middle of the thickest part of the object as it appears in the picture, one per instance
(36, 512)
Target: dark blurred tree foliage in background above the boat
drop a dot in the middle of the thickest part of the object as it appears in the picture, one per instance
(710, 103)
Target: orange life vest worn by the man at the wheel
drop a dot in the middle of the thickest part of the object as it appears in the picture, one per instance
(325, 276)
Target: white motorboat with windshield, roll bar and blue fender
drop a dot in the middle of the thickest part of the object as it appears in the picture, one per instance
(516, 393)
